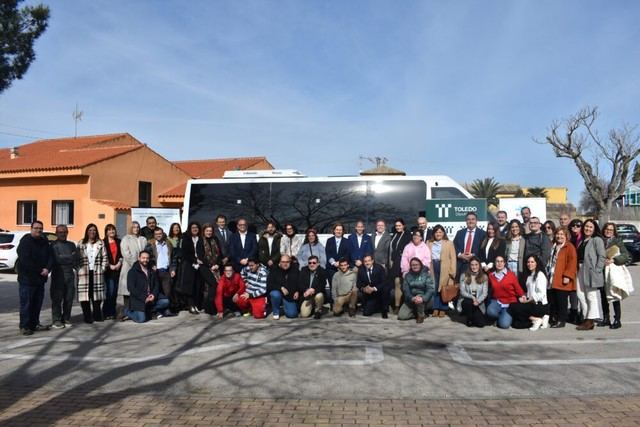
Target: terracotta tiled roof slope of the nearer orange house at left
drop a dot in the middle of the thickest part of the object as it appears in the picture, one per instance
(66, 153)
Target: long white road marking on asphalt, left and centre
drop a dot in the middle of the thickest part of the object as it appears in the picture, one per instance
(374, 352)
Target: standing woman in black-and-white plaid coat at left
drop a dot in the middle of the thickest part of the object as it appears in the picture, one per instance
(93, 262)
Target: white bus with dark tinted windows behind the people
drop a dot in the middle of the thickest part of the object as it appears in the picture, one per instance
(319, 202)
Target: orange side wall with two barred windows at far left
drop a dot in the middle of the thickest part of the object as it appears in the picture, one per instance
(44, 191)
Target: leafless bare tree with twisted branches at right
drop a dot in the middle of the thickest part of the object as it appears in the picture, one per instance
(577, 139)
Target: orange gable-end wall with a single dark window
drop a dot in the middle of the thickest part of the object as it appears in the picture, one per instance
(117, 178)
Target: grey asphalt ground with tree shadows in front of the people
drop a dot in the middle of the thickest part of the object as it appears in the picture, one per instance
(331, 358)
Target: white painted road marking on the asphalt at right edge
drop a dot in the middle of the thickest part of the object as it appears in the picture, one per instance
(460, 355)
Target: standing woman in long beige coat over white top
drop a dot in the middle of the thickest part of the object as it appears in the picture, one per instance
(443, 266)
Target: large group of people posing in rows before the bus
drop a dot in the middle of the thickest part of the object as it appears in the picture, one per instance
(521, 274)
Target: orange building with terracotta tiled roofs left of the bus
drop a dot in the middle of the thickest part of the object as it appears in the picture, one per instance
(95, 179)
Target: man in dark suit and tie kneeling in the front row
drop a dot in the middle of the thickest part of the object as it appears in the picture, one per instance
(372, 284)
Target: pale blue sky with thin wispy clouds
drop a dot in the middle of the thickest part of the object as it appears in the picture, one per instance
(452, 87)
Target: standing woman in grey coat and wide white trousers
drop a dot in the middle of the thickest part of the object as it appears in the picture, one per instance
(591, 259)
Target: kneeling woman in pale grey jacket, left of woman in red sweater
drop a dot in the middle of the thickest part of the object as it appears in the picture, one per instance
(474, 290)
